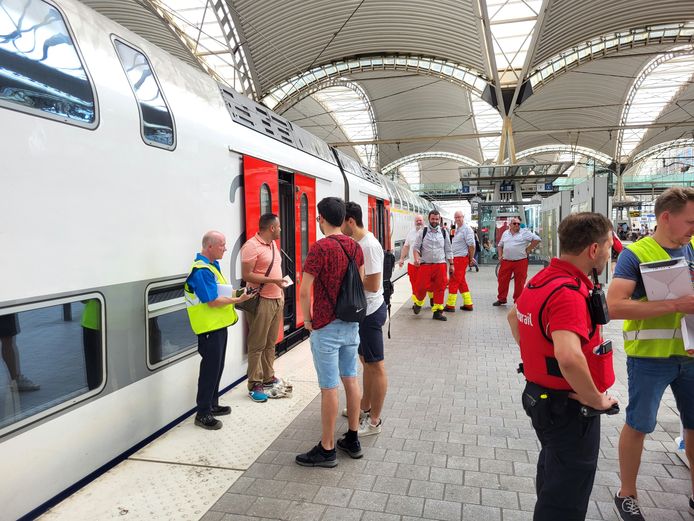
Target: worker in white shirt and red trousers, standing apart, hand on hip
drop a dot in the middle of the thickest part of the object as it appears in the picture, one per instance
(513, 249)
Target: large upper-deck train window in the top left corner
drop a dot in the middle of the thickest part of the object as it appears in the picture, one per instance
(40, 67)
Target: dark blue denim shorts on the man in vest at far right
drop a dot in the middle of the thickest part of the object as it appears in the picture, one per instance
(648, 378)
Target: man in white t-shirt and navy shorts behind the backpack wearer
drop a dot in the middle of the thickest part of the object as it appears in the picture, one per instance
(371, 328)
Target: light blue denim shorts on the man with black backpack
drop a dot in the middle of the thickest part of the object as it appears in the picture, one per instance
(334, 349)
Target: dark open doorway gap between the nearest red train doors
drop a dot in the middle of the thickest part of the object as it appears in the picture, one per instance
(288, 242)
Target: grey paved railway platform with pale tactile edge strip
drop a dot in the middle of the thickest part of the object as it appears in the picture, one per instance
(455, 444)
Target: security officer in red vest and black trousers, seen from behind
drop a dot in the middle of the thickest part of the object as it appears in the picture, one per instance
(557, 324)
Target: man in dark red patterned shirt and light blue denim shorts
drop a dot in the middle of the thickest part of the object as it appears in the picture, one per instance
(334, 342)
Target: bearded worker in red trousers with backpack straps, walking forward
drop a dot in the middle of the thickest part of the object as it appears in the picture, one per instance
(432, 252)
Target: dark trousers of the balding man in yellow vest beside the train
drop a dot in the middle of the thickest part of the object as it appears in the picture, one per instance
(212, 347)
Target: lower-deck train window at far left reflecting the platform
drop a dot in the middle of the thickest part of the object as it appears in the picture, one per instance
(51, 355)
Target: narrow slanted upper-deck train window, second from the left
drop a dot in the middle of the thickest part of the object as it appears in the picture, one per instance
(155, 117)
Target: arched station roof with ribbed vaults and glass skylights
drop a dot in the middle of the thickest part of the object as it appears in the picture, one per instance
(387, 80)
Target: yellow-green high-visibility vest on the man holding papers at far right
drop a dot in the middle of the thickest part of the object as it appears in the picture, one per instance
(657, 337)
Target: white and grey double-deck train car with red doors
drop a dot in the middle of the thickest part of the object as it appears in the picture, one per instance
(117, 158)
